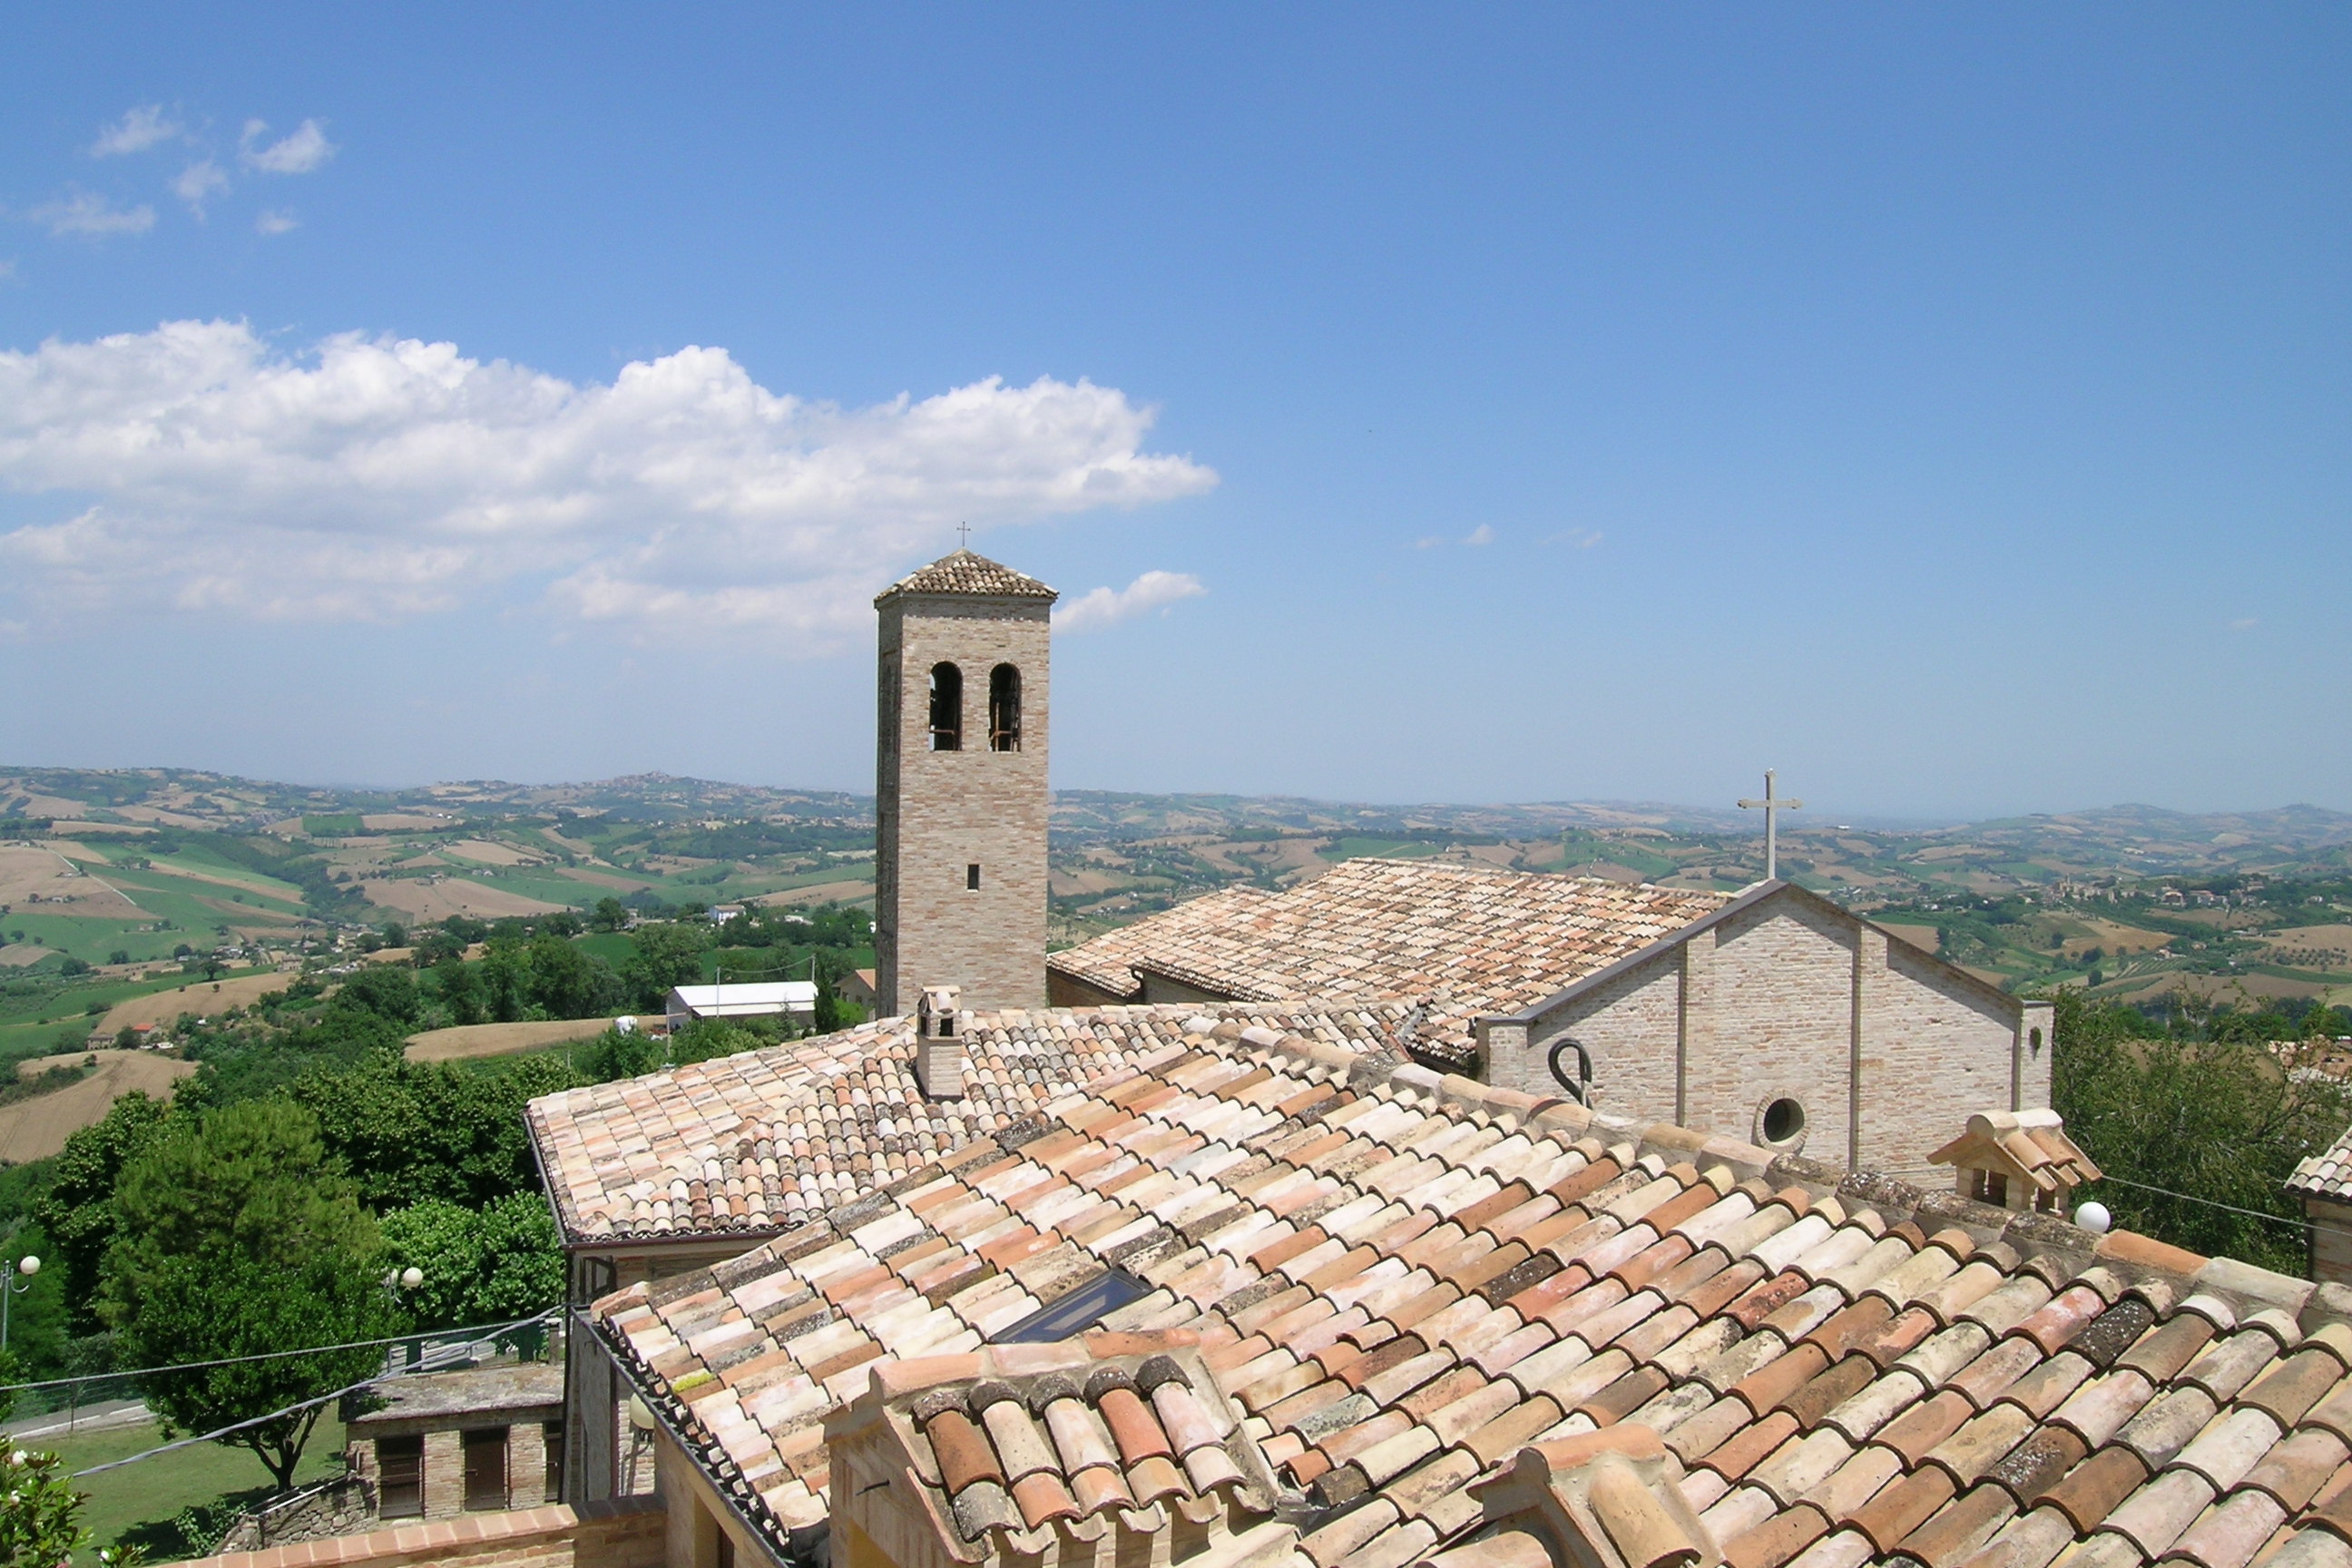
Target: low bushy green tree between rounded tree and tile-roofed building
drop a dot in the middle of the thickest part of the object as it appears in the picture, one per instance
(490, 1266)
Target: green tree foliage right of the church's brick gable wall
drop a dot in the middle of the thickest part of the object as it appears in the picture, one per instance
(2217, 1120)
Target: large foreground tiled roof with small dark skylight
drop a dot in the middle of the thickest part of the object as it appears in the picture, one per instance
(1405, 1280)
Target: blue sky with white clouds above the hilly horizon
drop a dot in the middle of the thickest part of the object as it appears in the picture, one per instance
(1944, 406)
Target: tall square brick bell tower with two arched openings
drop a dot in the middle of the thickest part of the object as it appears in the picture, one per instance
(961, 793)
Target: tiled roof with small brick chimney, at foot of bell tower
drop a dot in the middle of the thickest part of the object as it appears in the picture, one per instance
(761, 1141)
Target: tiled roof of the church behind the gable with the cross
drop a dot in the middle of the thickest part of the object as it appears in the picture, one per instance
(1459, 939)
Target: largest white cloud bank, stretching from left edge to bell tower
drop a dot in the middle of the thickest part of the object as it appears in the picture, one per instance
(377, 478)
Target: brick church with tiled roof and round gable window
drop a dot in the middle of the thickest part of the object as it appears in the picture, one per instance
(1770, 1014)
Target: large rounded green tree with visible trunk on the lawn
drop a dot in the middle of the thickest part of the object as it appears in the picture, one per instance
(239, 1235)
